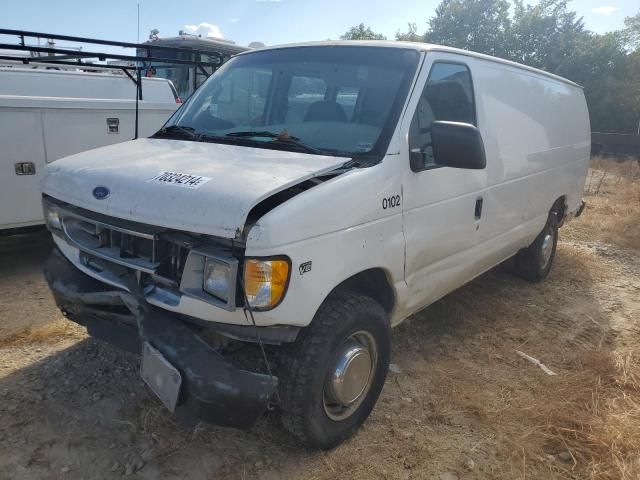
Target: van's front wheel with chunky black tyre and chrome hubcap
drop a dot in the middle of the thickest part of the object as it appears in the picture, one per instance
(332, 375)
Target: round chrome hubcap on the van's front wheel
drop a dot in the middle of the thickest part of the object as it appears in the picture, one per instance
(350, 376)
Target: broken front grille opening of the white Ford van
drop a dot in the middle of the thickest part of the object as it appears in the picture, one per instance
(148, 251)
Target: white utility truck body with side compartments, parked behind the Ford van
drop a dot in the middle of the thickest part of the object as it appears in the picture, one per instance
(49, 114)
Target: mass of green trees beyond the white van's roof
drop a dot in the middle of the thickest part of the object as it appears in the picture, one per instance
(549, 36)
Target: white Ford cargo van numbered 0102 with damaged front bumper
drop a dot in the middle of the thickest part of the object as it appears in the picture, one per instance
(306, 199)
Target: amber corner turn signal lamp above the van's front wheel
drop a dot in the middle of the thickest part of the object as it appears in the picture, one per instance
(265, 282)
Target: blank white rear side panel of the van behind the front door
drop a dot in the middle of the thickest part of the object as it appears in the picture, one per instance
(536, 134)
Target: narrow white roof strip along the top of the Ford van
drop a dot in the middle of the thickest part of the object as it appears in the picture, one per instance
(424, 47)
